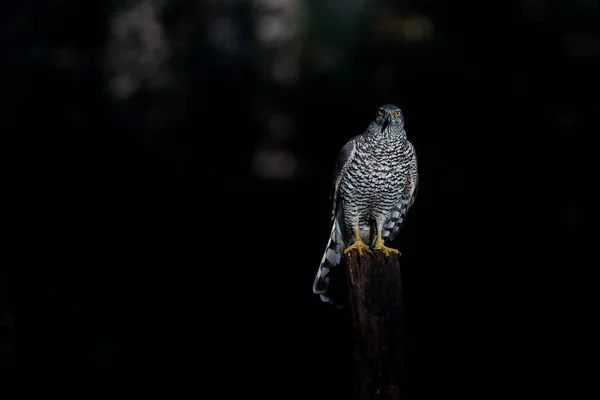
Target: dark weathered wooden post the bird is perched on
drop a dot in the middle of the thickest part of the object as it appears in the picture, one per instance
(376, 302)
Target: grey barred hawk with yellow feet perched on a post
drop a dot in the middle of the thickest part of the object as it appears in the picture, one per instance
(375, 183)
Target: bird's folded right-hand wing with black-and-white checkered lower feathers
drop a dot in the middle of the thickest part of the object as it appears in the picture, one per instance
(398, 214)
